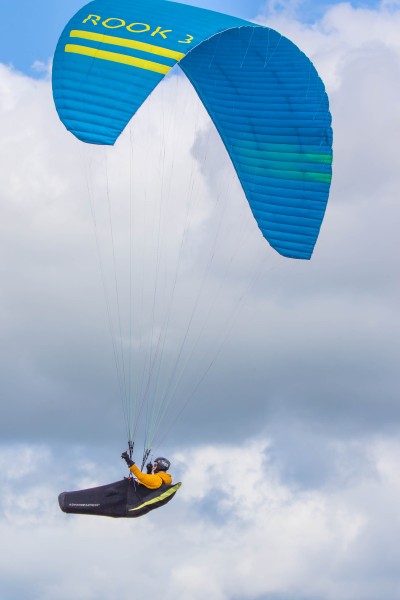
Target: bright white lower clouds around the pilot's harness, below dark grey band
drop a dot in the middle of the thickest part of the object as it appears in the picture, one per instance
(235, 530)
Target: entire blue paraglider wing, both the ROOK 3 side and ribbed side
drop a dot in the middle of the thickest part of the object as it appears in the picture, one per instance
(263, 94)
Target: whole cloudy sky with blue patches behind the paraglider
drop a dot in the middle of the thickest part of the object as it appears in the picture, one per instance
(289, 448)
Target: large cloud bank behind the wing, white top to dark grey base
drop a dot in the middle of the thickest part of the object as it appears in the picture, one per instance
(271, 343)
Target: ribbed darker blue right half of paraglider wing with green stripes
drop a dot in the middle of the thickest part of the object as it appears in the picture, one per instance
(271, 110)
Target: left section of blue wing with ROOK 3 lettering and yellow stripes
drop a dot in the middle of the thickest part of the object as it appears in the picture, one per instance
(111, 55)
